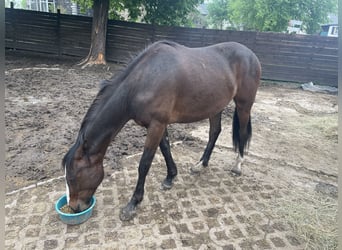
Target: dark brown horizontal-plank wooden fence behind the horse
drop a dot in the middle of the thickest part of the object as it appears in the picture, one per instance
(298, 58)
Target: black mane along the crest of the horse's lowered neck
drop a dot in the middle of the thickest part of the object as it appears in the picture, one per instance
(106, 89)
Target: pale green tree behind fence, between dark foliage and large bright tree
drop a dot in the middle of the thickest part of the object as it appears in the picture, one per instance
(218, 13)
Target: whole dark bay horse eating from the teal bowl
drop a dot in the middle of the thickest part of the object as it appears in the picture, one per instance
(166, 83)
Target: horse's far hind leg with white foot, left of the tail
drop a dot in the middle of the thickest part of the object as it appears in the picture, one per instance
(214, 132)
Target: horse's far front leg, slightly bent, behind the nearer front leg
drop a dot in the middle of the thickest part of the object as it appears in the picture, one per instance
(164, 146)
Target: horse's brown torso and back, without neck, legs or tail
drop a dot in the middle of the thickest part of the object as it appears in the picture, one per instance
(179, 84)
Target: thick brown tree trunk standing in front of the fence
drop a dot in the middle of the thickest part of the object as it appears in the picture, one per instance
(97, 52)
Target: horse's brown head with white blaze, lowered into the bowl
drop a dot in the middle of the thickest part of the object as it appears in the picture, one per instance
(83, 174)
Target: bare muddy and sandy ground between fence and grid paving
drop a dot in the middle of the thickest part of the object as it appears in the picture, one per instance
(294, 143)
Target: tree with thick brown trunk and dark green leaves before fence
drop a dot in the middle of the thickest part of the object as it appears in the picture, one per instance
(164, 12)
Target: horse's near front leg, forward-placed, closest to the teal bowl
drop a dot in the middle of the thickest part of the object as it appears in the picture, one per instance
(154, 134)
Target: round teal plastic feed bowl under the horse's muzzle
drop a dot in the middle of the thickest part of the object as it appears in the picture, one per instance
(77, 218)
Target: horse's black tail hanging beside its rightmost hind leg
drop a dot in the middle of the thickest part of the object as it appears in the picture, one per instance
(241, 139)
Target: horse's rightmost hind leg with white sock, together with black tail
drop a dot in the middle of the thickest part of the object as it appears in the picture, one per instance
(242, 132)
